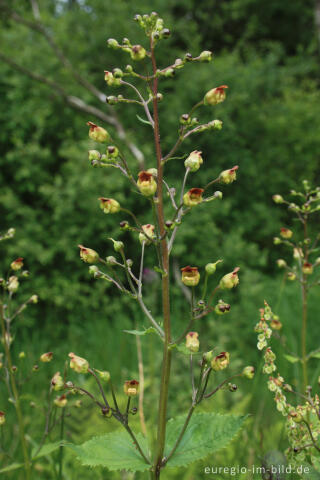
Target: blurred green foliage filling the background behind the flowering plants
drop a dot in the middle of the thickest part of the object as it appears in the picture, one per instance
(266, 52)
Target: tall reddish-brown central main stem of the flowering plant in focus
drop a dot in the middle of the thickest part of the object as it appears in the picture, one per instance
(166, 363)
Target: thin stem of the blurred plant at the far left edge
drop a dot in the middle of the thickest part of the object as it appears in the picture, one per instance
(27, 465)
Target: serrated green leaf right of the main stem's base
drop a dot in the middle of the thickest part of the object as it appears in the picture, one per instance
(205, 434)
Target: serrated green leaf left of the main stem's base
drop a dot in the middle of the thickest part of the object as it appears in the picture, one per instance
(115, 451)
